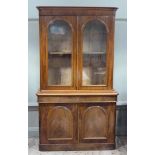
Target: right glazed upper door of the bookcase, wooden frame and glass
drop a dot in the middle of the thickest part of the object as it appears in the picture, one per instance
(94, 52)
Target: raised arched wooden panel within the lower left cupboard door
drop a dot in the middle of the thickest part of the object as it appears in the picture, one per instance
(60, 123)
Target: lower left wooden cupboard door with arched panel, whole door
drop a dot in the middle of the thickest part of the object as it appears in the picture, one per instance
(58, 123)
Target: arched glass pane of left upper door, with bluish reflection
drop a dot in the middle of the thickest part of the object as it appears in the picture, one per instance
(59, 54)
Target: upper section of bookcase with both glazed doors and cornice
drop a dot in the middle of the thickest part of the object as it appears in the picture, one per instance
(76, 48)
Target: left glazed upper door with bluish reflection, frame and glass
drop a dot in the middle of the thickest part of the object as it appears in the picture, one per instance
(59, 52)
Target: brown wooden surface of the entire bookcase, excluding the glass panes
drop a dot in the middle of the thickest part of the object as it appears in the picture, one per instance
(76, 117)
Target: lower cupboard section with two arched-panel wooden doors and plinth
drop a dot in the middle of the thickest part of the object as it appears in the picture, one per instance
(67, 126)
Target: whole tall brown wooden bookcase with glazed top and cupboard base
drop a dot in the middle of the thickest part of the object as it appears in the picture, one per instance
(77, 103)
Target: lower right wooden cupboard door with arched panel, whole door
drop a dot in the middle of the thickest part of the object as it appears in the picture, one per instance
(96, 123)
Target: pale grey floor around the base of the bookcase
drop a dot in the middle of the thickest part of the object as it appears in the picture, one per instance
(121, 149)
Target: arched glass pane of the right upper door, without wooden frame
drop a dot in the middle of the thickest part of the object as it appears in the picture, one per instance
(94, 53)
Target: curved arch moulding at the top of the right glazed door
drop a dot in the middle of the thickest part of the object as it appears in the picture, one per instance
(97, 23)
